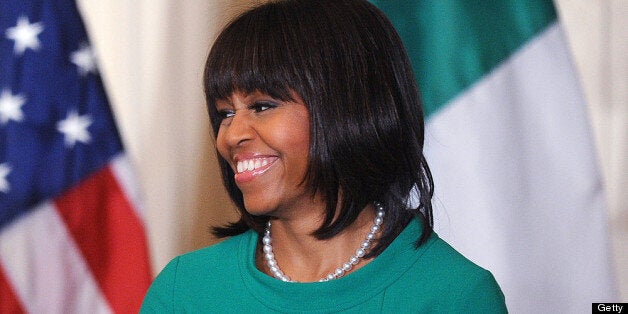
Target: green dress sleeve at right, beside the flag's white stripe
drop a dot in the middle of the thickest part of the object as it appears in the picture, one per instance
(481, 294)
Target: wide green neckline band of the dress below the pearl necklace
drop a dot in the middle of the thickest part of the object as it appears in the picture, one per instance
(354, 288)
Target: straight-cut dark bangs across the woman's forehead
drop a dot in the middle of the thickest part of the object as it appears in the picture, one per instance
(252, 54)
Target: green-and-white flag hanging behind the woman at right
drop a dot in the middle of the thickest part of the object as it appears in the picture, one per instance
(517, 187)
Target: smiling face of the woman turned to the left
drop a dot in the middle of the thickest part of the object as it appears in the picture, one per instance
(266, 142)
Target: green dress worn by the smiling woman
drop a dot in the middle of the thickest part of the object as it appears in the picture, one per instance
(223, 279)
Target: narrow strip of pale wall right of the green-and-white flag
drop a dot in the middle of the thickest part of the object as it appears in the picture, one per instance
(598, 35)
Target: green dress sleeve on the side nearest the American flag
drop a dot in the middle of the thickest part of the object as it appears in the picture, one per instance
(160, 295)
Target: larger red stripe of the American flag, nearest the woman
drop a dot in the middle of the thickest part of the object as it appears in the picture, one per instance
(111, 238)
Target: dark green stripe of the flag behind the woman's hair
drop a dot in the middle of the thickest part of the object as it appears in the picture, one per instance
(461, 41)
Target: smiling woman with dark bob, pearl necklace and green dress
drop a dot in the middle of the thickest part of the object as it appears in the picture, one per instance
(319, 131)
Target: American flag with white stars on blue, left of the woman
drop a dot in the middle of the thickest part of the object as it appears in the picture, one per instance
(72, 236)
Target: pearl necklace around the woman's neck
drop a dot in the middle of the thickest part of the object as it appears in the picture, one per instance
(340, 271)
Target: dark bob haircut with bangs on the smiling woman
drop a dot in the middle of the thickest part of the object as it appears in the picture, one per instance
(347, 63)
